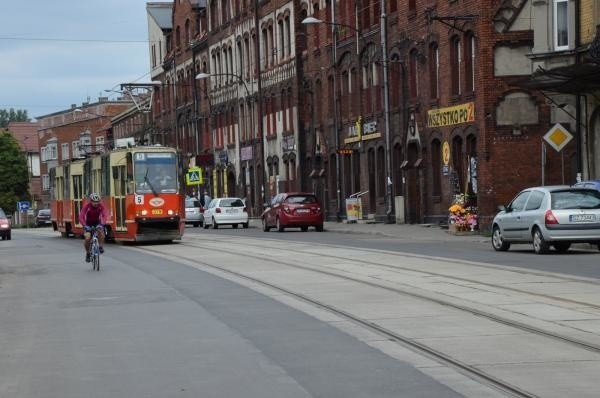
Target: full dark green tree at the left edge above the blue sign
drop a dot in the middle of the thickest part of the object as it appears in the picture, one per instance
(14, 181)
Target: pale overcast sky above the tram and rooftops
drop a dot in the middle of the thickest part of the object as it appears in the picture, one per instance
(54, 53)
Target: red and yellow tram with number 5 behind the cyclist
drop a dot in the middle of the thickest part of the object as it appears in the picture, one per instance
(141, 187)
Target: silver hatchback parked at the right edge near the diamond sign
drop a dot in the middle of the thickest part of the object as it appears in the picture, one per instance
(549, 216)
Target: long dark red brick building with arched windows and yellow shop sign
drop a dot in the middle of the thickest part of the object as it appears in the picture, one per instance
(447, 108)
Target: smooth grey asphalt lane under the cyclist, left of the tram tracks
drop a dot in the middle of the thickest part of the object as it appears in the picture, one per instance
(148, 327)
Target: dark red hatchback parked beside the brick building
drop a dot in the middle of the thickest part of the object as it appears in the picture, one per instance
(293, 210)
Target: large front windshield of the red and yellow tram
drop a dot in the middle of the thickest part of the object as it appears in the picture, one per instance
(155, 172)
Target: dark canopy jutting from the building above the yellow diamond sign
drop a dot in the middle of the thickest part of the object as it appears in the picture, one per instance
(573, 79)
